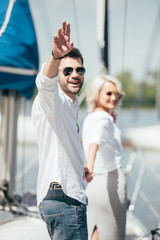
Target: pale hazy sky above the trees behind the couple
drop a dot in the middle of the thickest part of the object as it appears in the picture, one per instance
(130, 47)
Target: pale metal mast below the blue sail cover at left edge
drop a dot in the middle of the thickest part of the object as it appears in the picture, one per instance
(9, 117)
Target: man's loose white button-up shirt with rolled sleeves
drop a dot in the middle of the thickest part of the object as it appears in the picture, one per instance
(55, 118)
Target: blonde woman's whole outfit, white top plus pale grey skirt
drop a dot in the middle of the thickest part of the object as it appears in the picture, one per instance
(107, 191)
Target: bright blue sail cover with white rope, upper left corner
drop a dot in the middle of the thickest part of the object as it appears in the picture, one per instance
(18, 47)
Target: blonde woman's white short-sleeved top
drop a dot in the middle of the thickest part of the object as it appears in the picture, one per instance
(98, 127)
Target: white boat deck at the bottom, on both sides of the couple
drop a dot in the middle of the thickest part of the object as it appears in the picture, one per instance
(35, 229)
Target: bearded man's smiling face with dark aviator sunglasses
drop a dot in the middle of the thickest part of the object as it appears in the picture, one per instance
(72, 83)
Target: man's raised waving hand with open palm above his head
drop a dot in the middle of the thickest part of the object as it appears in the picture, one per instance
(61, 42)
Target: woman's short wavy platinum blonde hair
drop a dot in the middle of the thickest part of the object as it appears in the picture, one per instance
(96, 86)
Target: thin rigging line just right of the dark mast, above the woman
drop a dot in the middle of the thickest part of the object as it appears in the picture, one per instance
(124, 37)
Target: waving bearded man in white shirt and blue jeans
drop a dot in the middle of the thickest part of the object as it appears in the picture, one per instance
(60, 188)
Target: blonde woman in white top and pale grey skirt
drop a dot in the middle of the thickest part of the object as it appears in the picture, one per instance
(106, 213)
